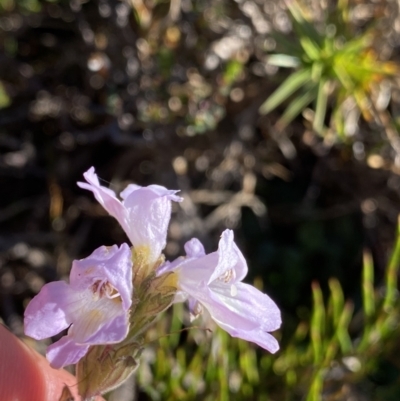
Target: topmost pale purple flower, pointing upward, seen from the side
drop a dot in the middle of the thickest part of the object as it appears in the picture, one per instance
(143, 213)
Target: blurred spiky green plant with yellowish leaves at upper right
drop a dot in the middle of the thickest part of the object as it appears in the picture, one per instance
(332, 65)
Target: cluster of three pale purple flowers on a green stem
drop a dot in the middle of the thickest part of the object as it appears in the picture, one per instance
(114, 293)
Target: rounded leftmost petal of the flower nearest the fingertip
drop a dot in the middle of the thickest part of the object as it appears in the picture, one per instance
(44, 316)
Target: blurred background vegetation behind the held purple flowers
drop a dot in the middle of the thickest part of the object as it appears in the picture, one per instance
(278, 119)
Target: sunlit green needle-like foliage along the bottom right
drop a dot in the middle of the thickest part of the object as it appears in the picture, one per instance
(341, 345)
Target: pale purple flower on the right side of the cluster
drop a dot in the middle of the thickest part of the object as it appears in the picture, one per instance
(213, 282)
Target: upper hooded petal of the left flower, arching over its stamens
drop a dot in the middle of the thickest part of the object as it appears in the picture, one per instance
(106, 263)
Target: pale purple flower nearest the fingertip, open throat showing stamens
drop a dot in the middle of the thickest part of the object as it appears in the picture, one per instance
(94, 306)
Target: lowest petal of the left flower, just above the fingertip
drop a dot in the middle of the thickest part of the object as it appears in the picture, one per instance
(65, 352)
